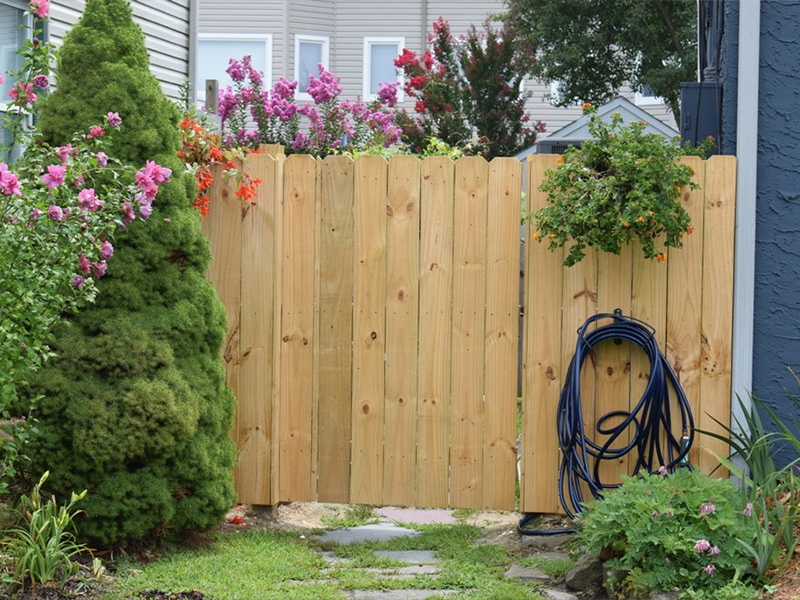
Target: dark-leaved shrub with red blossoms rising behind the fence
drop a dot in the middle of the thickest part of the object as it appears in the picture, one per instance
(473, 83)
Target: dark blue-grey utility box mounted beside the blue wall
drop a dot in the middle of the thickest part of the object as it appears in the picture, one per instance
(701, 109)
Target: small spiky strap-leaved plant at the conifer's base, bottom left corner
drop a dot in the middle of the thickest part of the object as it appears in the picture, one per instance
(43, 548)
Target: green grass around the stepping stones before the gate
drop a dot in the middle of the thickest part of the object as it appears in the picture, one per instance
(270, 564)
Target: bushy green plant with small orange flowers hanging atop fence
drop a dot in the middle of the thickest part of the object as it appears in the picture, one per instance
(622, 185)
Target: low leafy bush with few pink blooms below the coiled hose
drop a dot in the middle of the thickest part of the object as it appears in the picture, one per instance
(661, 532)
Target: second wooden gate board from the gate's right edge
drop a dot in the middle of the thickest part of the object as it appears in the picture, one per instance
(469, 313)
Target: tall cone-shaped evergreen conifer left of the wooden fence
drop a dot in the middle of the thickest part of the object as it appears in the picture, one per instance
(135, 409)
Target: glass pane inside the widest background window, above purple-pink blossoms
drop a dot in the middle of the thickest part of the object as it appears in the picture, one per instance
(213, 58)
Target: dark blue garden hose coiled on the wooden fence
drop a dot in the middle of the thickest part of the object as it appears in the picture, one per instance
(649, 422)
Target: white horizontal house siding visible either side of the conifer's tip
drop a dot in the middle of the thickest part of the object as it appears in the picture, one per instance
(166, 27)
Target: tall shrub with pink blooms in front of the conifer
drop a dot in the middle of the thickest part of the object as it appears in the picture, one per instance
(59, 210)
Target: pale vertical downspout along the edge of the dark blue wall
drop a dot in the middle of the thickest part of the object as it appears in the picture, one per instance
(745, 240)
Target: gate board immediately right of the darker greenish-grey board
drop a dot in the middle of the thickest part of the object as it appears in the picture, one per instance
(369, 329)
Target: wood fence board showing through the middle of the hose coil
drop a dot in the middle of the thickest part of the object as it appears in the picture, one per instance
(612, 373)
